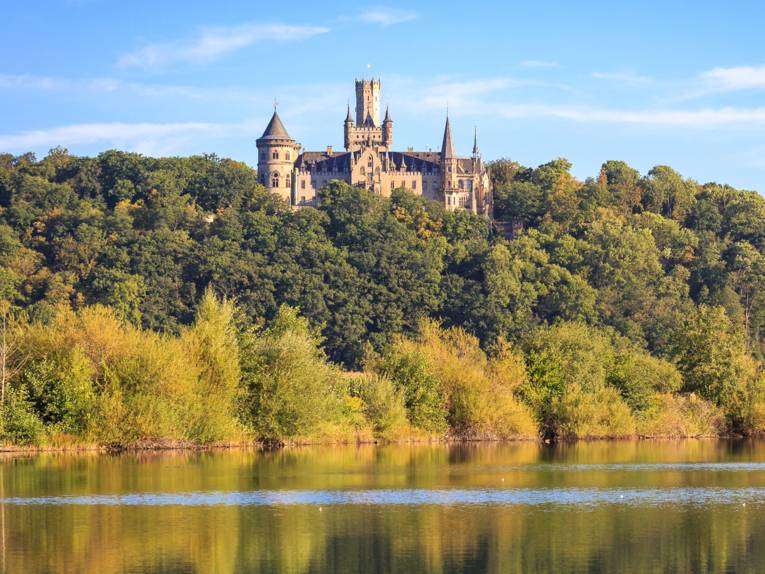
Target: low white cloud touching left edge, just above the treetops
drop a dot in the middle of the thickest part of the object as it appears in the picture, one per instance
(131, 136)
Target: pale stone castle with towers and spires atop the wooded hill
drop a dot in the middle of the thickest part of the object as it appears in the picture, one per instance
(369, 161)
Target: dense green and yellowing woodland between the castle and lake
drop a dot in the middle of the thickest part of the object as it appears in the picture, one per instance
(148, 299)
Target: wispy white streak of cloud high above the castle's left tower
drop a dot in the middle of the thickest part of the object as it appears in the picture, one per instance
(213, 43)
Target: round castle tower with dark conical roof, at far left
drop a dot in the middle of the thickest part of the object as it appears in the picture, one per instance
(277, 153)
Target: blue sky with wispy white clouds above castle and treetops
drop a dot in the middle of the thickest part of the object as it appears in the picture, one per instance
(676, 83)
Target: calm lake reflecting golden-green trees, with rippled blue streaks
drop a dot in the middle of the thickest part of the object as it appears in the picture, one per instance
(684, 506)
